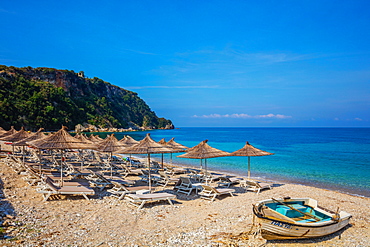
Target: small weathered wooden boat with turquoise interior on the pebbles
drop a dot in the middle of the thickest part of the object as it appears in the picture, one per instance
(297, 219)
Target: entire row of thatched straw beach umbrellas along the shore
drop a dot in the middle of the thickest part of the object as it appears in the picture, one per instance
(62, 140)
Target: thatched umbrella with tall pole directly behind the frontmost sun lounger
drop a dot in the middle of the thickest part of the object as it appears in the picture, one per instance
(146, 146)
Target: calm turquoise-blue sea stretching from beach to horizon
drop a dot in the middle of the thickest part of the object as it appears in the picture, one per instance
(331, 158)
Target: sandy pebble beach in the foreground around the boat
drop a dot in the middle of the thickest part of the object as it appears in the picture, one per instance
(106, 221)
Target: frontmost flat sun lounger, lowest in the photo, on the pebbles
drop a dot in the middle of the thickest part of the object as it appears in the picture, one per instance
(140, 199)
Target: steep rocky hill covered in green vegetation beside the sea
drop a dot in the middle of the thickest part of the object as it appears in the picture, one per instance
(50, 98)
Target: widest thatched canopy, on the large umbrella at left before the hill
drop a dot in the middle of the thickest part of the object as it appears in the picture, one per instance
(60, 140)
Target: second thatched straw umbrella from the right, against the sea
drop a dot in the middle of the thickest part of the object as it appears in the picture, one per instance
(203, 151)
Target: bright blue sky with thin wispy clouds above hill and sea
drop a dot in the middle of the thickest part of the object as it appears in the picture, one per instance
(208, 63)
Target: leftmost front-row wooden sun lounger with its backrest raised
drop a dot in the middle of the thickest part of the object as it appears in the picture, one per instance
(52, 189)
